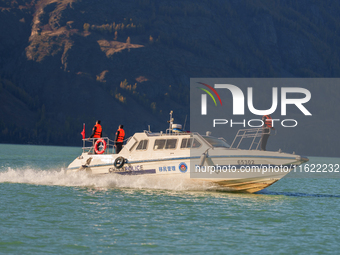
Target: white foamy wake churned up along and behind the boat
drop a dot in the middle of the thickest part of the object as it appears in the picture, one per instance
(81, 179)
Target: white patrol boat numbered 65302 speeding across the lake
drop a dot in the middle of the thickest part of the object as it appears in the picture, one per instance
(186, 155)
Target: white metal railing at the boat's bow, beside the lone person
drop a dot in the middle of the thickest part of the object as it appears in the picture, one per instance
(254, 133)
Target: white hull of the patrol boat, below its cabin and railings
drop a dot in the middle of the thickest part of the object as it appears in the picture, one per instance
(248, 182)
